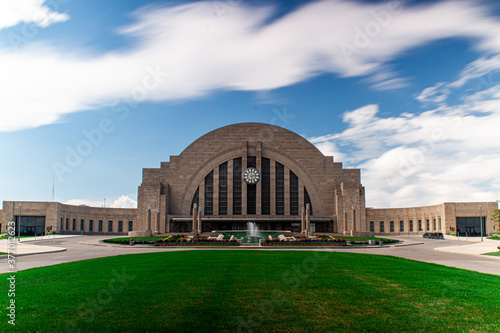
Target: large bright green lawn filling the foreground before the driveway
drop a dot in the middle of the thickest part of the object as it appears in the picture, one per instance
(259, 291)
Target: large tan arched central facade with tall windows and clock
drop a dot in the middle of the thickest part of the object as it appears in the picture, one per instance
(292, 181)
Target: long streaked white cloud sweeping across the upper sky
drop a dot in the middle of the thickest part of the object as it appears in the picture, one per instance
(204, 49)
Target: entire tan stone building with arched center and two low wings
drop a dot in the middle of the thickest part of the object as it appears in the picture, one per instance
(250, 172)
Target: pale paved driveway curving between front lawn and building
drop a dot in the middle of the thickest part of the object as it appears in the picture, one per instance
(422, 252)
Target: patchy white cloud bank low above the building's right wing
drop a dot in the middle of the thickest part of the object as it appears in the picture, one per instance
(449, 154)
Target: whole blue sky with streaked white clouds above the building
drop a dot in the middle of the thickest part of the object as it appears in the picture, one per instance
(91, 92)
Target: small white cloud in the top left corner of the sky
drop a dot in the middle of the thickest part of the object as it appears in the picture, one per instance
(28, 11)
